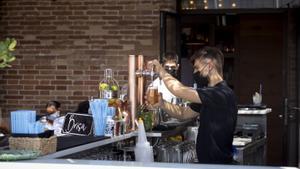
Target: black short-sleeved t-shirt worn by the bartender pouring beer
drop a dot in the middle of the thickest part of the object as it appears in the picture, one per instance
(218, 113)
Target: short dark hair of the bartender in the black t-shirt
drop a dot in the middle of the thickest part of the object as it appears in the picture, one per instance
(212, 53)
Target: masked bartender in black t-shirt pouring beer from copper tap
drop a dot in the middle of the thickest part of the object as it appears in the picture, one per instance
(214, 100)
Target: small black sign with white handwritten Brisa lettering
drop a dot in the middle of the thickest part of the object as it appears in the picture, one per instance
(78, 124)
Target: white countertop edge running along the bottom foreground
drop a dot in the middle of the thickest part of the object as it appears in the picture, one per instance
(93, 164)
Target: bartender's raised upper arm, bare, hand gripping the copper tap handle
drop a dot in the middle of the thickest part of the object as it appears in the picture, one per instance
(175, 86)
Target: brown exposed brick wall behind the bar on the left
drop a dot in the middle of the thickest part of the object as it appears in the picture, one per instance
(64, 46)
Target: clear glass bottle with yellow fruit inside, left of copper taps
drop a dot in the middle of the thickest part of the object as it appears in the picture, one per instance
(108, 87)
